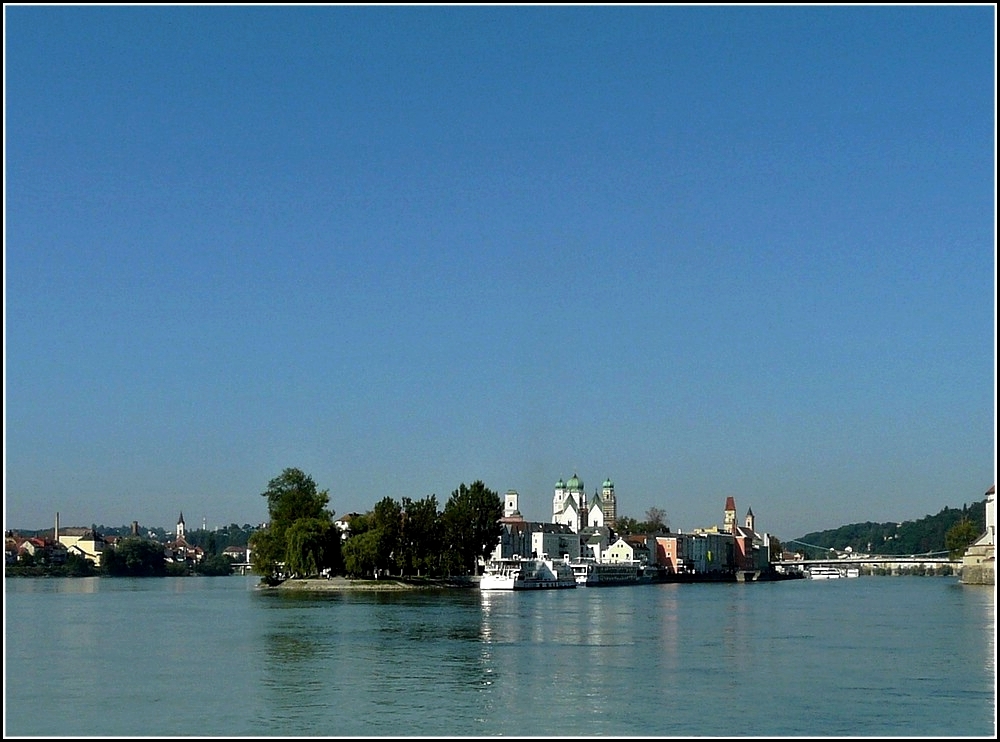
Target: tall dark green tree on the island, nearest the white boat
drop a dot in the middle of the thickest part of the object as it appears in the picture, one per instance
(471, 520)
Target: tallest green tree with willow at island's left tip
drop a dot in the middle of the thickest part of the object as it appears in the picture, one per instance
(300, 537)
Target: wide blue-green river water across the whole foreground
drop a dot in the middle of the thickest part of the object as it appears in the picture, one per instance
(214, 657)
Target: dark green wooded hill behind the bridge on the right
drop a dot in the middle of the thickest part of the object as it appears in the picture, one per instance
(910, 537)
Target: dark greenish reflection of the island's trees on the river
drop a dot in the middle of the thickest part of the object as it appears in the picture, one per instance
(386, 660)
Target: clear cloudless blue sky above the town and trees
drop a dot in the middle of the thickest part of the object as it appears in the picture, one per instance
(701, 251)
